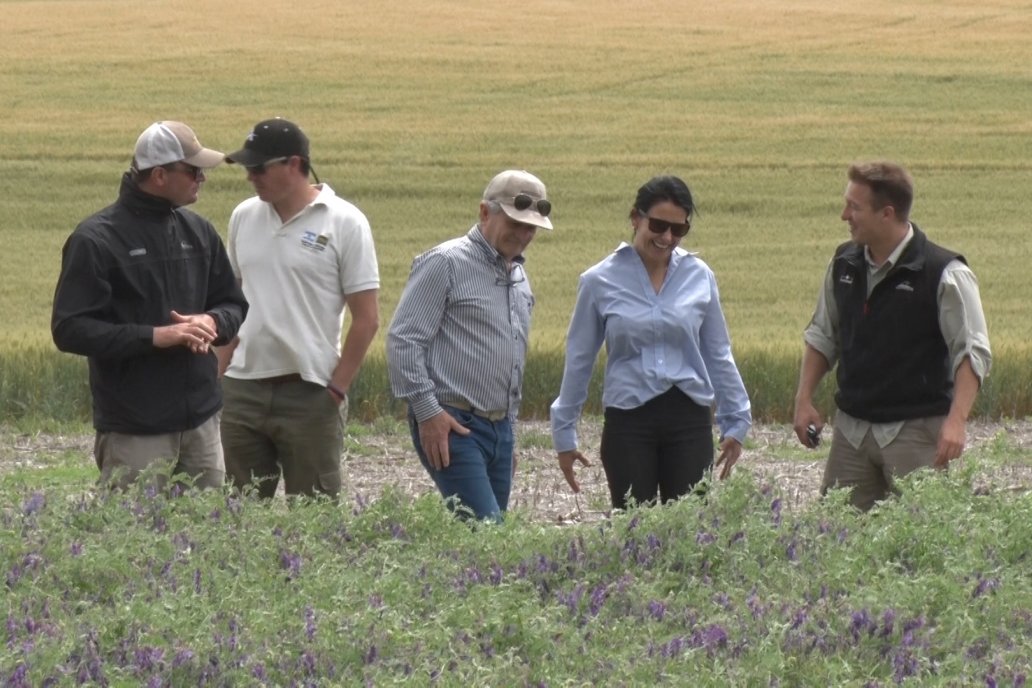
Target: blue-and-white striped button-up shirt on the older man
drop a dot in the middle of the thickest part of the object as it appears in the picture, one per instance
(461, 330)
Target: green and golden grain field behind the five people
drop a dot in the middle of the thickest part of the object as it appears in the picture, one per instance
(412, 107)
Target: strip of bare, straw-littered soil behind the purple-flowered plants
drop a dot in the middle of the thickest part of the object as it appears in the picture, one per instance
(378, 462)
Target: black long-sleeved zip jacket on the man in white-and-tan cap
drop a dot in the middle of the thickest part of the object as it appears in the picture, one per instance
(123, 272)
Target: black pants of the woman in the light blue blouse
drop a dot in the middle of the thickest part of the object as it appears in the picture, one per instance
(666, 444)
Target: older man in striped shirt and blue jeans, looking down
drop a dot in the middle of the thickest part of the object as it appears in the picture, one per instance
(457, 348)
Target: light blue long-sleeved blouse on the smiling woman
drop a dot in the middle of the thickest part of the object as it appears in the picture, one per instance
(654, 342)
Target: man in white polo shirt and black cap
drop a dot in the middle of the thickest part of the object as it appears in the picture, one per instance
(304, 255)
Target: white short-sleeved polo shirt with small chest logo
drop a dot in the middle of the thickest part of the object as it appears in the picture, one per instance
(296, 276)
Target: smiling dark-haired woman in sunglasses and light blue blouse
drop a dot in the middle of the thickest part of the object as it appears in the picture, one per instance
(658, 310)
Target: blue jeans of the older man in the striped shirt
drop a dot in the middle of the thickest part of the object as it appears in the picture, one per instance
(480, 473)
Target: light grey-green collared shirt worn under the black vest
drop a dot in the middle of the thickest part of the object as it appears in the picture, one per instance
(961, 320)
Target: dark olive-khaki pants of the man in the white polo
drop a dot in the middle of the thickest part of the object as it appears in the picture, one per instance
(294, 430)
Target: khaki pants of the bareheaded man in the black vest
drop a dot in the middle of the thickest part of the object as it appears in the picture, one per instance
(869, 471)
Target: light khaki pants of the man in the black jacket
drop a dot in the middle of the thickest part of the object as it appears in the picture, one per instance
(197, 453)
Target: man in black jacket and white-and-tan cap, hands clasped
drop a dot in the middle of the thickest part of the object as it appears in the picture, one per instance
(146, 290)
